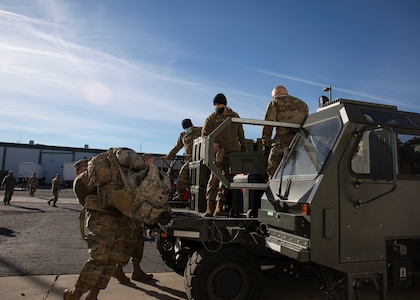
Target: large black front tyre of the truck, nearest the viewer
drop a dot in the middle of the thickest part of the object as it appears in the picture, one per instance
(229, 273)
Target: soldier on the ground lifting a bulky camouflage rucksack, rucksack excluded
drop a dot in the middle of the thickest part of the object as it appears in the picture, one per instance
(105, 239)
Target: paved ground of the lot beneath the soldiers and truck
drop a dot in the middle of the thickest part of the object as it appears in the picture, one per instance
(42, 252)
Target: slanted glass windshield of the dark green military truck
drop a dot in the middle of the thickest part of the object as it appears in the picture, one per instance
(310, 150)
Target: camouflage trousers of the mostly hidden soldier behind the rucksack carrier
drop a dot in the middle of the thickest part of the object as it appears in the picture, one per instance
(133, 241)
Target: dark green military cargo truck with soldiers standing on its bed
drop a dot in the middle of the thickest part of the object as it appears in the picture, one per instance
(343, 205)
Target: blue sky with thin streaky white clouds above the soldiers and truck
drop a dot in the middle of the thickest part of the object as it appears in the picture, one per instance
(125, 73)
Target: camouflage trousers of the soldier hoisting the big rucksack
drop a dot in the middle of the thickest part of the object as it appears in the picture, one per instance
(105, 245)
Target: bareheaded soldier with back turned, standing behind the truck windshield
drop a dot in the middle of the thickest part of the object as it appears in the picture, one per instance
(282, 108)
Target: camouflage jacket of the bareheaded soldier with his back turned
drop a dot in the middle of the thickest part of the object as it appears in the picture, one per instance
(283, 108)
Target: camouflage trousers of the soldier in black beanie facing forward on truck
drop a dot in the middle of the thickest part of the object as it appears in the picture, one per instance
(215, 190)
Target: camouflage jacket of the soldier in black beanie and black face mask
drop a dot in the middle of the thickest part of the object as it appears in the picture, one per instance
(231, 138)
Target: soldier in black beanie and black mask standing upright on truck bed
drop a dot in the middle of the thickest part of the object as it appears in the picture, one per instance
(230, 139)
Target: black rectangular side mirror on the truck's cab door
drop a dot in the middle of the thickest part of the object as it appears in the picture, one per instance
(382, 156)
